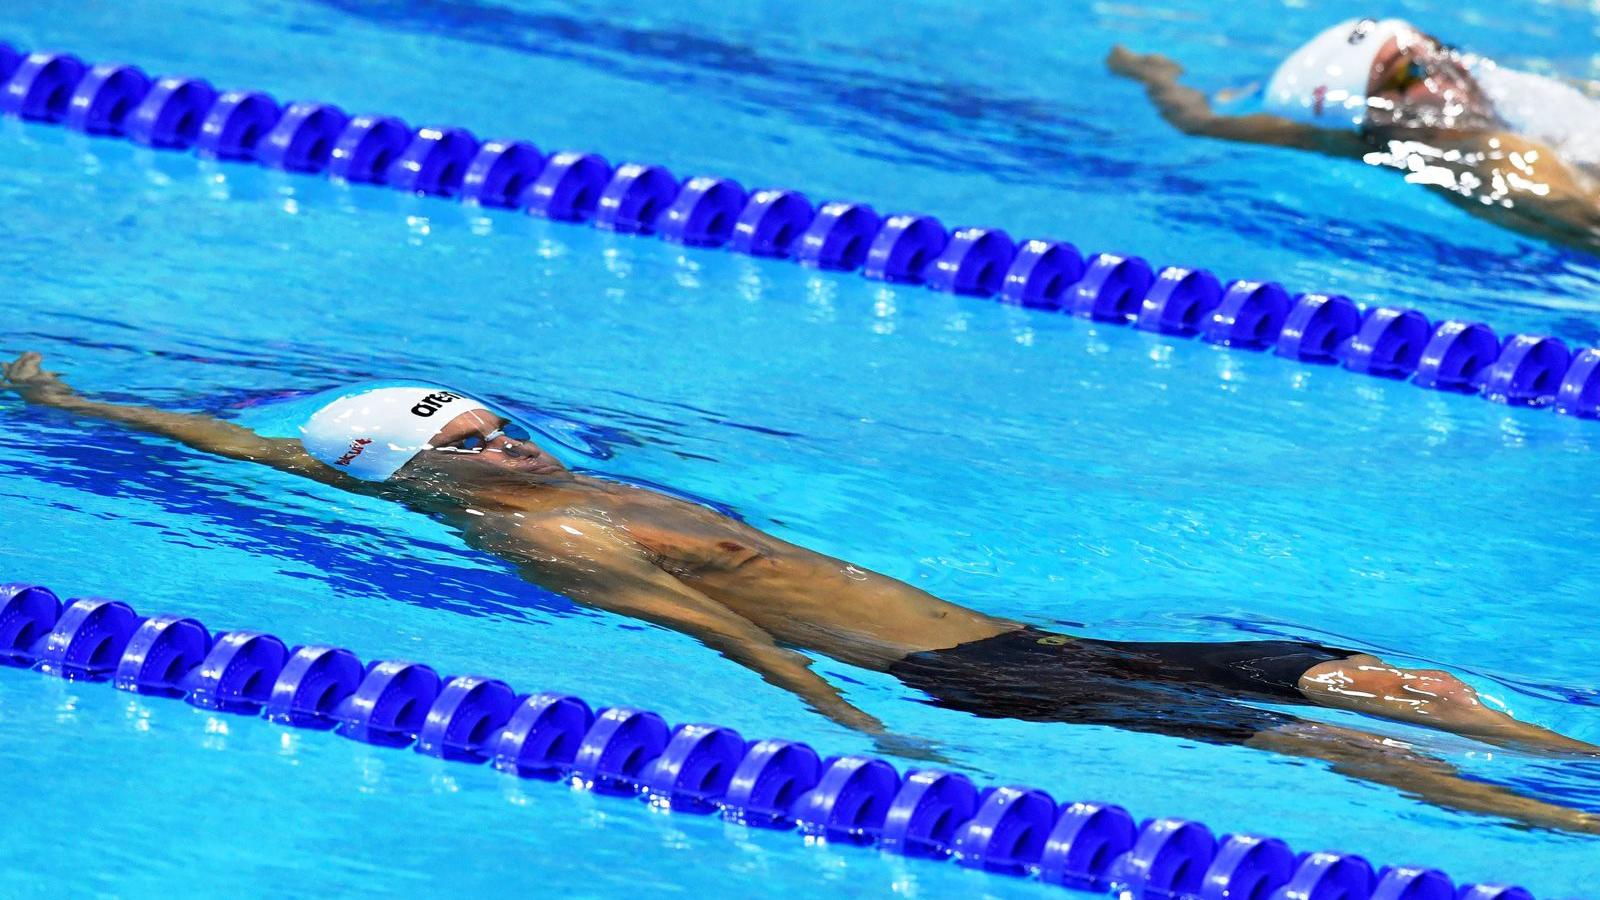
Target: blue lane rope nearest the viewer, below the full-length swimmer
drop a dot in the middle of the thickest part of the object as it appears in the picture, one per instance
(689, 769)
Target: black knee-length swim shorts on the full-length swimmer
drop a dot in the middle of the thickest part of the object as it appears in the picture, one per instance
(1182, 689)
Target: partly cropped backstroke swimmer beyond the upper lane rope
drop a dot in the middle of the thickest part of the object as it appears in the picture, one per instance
(1516, 148)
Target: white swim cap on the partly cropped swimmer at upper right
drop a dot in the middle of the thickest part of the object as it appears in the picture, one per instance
(1326, 81)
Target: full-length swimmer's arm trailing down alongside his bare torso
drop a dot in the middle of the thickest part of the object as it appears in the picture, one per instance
(604, 568)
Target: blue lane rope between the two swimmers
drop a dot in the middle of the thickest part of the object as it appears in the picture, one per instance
(174, 113)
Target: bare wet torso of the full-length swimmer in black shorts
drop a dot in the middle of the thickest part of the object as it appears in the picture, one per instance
(801, 598)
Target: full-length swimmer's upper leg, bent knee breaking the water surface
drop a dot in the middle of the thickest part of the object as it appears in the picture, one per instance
(1425, 697)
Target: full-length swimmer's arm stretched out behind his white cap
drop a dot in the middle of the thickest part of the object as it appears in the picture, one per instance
(191, 430)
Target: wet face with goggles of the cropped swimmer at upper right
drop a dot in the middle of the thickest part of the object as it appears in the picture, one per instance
(1418, 82)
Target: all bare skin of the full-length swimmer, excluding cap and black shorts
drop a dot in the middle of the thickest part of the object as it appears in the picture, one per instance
(759, 600)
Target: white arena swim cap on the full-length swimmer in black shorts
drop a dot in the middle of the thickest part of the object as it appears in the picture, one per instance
(372, 433)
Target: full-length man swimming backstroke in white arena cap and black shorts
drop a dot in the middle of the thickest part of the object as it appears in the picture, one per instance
(761, 601)
